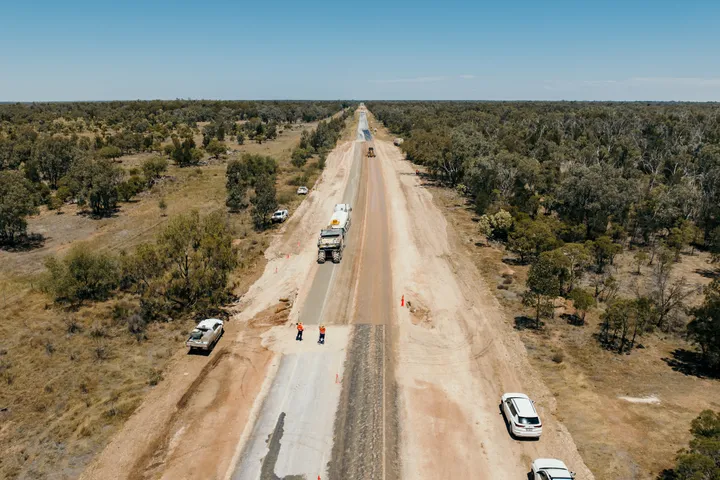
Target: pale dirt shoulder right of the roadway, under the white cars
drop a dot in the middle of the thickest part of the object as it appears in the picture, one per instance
(459, 356)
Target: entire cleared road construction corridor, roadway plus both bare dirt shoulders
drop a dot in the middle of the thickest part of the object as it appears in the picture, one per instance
(407, 384)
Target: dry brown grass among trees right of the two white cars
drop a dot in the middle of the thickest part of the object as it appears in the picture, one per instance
(617, 438)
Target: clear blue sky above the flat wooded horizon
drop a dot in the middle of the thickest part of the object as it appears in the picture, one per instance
(538, 50)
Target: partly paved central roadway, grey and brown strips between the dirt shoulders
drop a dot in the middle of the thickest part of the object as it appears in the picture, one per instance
(331, 410)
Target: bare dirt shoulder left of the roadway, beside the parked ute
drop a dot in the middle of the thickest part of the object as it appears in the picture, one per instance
(190, 425)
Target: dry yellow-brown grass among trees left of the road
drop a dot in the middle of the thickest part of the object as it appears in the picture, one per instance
(69, 379)
